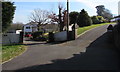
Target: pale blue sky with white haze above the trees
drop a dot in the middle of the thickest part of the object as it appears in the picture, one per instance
(25, 7)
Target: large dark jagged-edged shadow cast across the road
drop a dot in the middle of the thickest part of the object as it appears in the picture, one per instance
(100, 55)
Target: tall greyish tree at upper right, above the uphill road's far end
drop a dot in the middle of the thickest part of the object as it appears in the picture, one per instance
(102, 11)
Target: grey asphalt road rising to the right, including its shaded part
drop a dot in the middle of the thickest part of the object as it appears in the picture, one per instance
(91, 51)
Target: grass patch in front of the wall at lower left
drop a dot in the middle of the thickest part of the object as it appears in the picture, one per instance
(10, 51)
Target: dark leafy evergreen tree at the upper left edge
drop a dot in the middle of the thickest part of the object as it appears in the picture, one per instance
(8, 10)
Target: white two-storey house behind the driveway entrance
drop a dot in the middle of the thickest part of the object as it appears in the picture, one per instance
(29, 28)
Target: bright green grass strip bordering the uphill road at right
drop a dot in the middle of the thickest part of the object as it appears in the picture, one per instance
(83, 29)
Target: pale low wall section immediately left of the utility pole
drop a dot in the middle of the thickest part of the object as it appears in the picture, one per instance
(60, 36)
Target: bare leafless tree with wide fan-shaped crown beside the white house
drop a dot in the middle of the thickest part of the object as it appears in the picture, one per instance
(39, 16)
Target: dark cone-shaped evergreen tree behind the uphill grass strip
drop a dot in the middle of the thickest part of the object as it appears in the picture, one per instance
(84, 19)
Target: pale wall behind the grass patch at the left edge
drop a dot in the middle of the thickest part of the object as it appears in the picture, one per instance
(10, 38)
